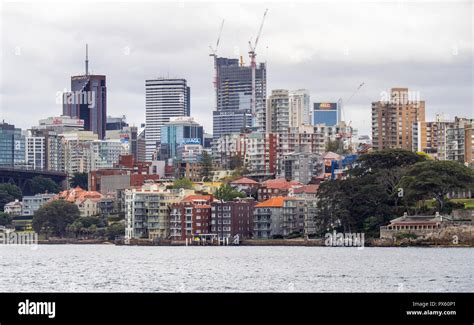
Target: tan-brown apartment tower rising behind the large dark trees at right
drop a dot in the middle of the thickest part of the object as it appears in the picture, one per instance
(393, 118)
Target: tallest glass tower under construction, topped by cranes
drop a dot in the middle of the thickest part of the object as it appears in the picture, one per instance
(233, 97)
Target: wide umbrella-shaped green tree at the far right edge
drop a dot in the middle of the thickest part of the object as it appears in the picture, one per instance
(435, 179)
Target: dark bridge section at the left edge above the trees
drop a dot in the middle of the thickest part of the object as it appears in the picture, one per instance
(21, 177)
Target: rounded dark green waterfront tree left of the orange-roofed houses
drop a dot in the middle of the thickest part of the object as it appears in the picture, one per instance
(53, 217)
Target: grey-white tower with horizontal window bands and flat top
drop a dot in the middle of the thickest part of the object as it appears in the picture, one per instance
(165, 98)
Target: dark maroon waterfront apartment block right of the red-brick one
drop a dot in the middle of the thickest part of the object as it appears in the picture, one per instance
(232, 218)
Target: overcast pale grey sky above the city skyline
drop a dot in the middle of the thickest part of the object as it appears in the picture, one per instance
(328, 47)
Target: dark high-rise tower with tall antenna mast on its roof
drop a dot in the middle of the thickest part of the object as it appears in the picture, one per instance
(87, 101)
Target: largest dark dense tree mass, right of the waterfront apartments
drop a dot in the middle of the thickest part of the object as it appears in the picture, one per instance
(369, 196)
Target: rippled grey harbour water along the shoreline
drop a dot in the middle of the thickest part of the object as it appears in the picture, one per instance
(108, 268)
